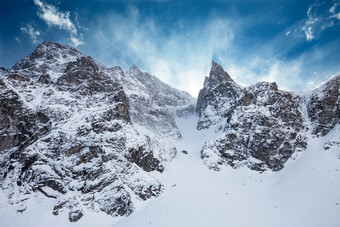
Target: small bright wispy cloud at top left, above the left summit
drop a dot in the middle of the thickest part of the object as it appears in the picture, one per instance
(53, 17)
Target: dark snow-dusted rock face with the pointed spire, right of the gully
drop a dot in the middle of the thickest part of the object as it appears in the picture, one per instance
(261, 126)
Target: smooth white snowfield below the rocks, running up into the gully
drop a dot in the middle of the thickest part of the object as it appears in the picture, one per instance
(306, 192)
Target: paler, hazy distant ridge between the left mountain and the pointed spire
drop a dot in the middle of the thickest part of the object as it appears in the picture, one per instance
(154, 104)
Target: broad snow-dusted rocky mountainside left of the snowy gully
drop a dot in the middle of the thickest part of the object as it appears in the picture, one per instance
(69, 131)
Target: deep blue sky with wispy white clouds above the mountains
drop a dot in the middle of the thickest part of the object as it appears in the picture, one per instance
(294, 43)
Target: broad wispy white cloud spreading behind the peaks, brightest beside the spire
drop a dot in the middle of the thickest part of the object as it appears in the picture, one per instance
(181, 55)
